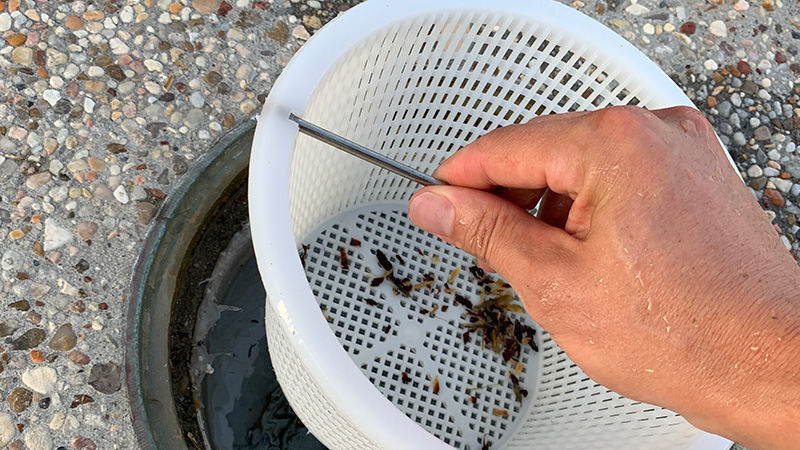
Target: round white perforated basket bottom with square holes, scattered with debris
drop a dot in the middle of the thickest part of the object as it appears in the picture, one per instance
(388, 334)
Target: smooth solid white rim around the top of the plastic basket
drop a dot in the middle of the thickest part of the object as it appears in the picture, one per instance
(338, 377)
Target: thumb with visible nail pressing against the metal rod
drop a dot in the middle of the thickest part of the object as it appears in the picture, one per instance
(515, 243)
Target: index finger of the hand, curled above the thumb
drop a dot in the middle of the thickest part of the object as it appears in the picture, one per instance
(555, 151)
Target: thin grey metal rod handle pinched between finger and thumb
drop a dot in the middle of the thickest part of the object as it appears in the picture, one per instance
(364, 153)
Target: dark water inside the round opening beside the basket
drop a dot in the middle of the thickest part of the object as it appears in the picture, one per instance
(244, 405)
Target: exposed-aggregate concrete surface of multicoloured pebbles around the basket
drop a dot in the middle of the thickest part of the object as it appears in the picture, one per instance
(104, 105)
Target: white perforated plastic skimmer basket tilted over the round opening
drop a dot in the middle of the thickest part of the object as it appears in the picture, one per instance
(416, 80)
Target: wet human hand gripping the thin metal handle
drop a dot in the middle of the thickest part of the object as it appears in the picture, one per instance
(651, 265)
